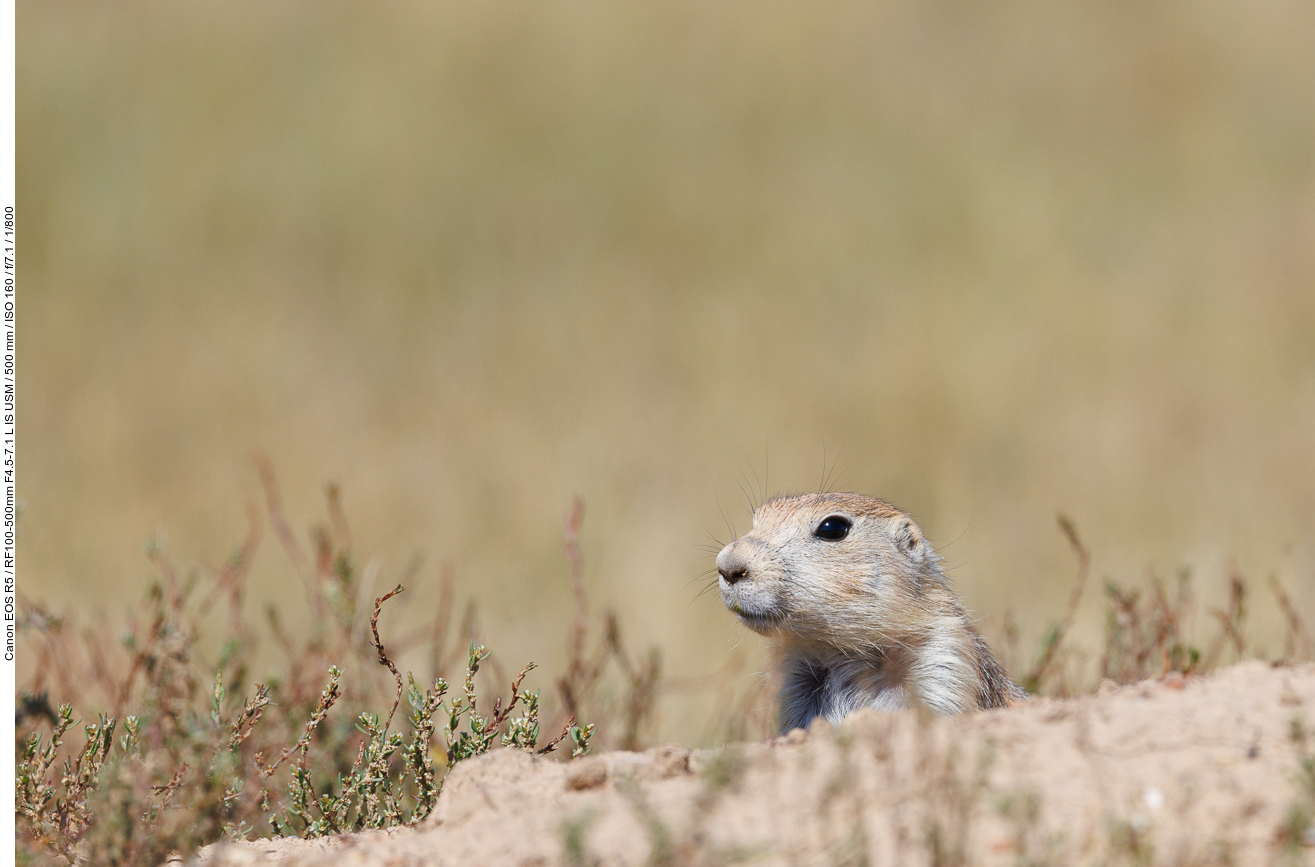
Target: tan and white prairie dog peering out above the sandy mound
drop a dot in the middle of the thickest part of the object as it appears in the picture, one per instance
(861, 610)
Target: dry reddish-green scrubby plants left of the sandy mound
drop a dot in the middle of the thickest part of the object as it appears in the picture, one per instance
(208, 756)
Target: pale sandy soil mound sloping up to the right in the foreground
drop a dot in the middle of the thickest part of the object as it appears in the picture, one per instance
(1183, 772)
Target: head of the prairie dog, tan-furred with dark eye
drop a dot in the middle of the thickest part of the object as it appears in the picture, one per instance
(838, 569)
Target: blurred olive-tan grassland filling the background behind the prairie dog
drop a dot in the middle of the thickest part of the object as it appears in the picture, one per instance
(470, 260)
